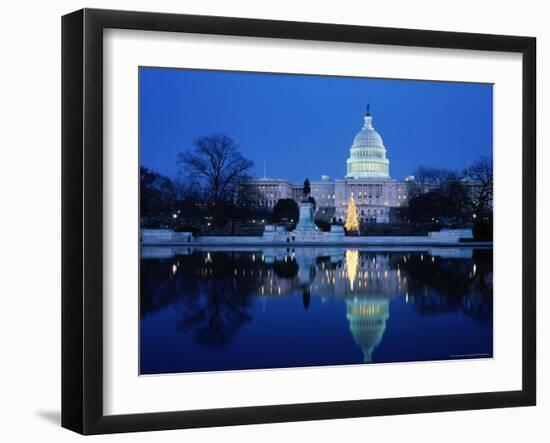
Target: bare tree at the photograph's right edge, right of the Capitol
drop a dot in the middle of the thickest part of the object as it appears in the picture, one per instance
(479, 177)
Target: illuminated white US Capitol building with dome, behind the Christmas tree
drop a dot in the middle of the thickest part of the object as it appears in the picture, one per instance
(367, 180)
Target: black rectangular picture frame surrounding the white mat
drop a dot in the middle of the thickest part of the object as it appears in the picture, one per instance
(82, 215)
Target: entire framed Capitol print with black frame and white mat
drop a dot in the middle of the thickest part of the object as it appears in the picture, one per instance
(270, 221)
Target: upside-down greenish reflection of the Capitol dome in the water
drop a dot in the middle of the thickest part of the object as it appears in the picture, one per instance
(367, 323)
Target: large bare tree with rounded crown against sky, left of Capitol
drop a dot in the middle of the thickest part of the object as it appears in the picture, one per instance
(216, 163)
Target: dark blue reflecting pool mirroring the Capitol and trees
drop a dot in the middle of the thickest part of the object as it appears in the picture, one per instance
(218, 309)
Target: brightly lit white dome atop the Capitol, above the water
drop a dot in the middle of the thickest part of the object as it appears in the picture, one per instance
(368, 154)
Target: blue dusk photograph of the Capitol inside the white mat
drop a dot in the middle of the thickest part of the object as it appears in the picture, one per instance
(290, 220)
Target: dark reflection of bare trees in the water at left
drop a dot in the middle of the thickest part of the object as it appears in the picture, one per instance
(210, 296)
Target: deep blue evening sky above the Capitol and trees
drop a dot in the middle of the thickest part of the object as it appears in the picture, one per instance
(303, 126)
